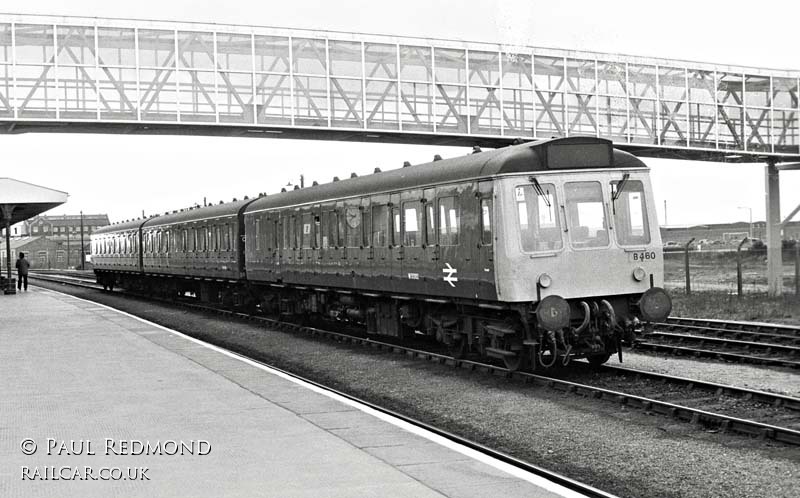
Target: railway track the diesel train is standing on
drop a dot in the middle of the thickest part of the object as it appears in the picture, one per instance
(737, 410)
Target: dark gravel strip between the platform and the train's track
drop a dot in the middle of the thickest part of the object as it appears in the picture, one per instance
(608, 446)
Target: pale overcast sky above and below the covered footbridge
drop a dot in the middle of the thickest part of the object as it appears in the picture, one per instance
(124, 175)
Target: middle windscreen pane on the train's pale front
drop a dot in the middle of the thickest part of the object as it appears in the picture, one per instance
(586, 214)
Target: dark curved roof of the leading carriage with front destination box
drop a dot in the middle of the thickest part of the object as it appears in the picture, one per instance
(546, 155)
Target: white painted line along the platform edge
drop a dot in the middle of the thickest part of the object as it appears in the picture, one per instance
(469, 452)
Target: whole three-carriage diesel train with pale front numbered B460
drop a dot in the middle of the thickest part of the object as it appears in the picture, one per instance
(534, 254)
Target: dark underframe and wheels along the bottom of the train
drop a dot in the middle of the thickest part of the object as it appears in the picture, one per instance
(523, 336)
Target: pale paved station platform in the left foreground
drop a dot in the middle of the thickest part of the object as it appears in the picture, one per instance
(95, 402)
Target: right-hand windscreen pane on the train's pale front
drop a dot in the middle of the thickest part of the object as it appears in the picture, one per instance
(630, 214)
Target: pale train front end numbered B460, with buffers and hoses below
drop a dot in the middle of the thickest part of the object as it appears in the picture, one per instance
(583, 247)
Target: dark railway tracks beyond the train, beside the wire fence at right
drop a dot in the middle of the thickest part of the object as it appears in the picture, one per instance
(758, 343)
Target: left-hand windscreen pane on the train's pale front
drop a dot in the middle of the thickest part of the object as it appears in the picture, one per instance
(539, 227)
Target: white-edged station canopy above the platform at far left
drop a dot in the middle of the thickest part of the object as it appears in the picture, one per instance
(26, 200)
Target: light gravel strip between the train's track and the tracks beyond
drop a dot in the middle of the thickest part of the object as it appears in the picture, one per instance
(781, 381)
